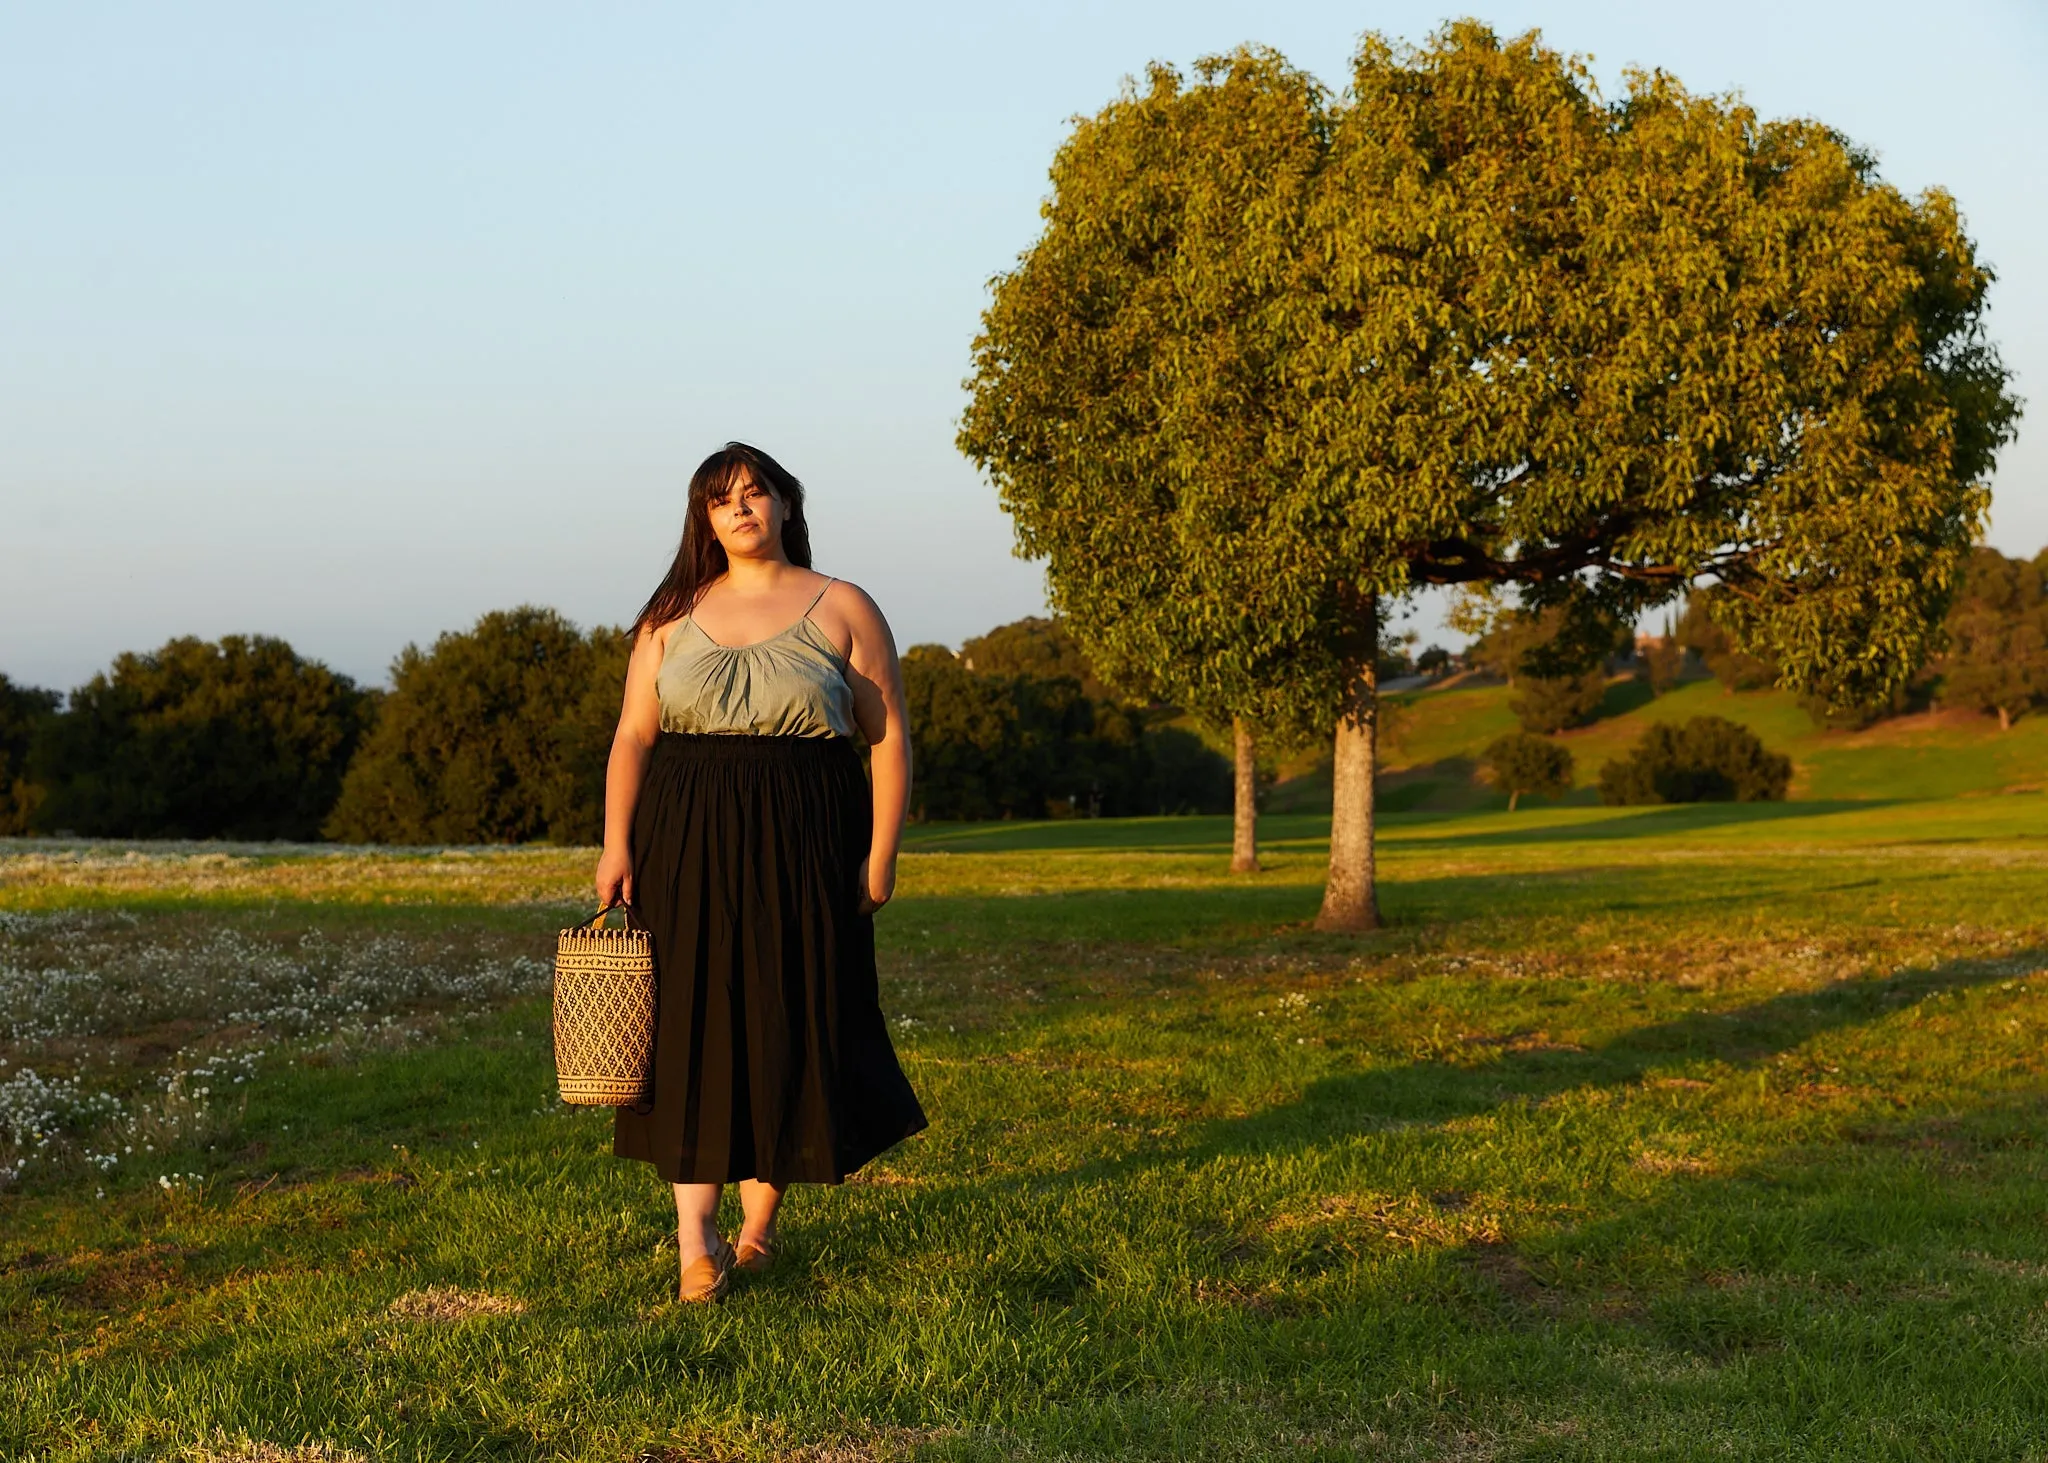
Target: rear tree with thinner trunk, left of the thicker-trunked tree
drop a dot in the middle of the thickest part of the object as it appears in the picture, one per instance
(1127, 390)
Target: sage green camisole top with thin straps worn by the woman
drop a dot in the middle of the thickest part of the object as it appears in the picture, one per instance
(785, 685)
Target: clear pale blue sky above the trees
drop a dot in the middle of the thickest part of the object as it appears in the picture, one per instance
(351, 323)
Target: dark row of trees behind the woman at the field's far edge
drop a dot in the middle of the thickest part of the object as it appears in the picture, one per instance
(501, 735)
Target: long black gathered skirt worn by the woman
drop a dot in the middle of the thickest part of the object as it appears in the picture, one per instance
(771, 1052)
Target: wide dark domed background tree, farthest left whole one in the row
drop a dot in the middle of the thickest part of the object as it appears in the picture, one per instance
(232, 739)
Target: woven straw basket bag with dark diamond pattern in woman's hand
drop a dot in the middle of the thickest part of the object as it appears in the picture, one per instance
(605, 1013)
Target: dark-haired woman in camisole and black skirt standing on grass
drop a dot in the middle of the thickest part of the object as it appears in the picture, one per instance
(740, 829)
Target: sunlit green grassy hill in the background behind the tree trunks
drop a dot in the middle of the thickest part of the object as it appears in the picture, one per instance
(1437, 739)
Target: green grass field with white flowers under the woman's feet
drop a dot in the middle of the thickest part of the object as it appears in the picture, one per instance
(1641, 1134)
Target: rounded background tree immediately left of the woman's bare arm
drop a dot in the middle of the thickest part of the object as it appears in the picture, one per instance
(495, 735)
